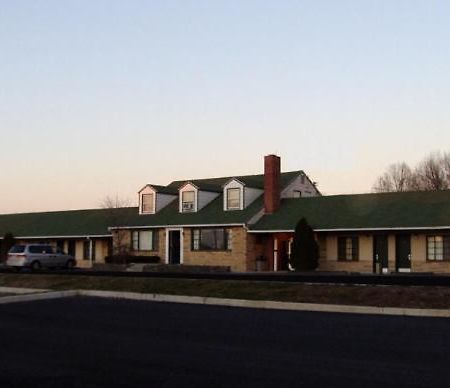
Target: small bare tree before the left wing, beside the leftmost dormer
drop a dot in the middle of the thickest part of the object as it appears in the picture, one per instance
(118, 214)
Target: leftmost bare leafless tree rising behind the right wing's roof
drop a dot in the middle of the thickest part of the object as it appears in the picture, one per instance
(398, 177)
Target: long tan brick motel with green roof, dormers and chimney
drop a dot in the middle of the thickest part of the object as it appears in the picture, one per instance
(247, 223)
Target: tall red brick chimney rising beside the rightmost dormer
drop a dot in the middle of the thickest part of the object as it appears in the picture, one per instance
(272, 172)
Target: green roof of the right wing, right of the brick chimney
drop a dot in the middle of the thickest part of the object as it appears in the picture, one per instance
(362, 211)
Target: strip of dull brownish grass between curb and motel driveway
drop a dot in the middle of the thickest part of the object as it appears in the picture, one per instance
(386, 296)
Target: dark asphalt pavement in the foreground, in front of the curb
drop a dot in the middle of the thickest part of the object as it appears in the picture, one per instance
(93, 342)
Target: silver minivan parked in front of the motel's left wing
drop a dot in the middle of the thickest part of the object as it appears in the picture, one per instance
(36, 256)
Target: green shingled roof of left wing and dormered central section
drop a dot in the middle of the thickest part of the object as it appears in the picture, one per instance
(97, 221)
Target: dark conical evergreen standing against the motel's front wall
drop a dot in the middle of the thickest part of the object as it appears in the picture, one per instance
(305, 251)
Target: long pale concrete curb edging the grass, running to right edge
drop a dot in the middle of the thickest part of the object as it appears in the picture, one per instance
(263, 304)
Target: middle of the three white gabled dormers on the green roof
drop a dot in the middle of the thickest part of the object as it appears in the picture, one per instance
(193, 197)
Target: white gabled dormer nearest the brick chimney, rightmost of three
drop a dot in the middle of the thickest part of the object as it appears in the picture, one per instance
(237, 195)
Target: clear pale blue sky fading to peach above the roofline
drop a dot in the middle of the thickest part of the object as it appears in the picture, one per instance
(99, 97)
